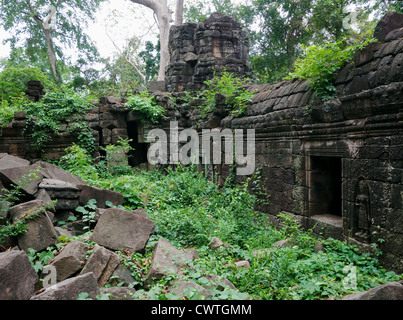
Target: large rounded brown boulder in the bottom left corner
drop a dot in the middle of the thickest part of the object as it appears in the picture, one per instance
(17, 276)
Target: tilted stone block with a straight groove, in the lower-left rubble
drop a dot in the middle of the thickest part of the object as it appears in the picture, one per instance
(101, 263)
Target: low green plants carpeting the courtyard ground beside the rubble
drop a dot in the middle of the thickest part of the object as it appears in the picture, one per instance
(189, 210)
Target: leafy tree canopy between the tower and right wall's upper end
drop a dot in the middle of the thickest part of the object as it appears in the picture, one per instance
(285, 25)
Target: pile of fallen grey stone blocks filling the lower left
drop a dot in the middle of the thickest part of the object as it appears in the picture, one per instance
(79, 268)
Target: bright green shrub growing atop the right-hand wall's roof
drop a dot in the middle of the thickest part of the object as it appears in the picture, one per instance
(319, 64)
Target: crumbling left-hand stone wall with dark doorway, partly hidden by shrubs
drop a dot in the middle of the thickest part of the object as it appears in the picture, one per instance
(108, 119)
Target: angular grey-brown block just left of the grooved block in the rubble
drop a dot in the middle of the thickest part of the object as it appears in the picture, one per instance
(69, 260)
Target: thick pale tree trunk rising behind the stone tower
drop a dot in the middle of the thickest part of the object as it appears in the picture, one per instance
(163, 15)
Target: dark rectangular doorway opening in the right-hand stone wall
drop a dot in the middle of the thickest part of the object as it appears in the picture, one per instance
(325, 186)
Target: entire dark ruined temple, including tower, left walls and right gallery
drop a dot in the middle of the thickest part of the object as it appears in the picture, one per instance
(337, 169)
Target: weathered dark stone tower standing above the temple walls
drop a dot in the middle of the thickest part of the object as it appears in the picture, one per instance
(197, 49)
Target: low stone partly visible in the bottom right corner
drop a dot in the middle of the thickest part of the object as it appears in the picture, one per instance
(388, 291)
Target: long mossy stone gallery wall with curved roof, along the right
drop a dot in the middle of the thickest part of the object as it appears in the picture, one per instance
(336, 166)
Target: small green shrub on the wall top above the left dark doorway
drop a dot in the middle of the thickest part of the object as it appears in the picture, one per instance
(146, 105)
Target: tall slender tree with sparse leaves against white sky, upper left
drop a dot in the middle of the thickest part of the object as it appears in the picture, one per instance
(42, 23)
